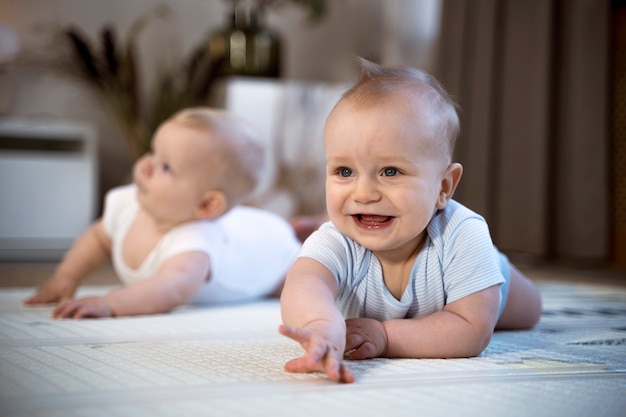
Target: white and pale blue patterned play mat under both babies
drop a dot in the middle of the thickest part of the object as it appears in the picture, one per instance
(228, 361)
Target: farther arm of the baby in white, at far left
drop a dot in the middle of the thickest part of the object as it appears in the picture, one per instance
(88, 253)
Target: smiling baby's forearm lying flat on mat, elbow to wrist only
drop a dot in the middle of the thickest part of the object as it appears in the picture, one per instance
(439, 335)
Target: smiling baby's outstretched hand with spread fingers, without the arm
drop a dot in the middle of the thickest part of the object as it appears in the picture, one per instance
(320, 355)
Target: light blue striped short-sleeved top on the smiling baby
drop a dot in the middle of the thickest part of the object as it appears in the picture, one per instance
(458, 259)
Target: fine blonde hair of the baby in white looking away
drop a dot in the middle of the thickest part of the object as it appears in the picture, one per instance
(238, 160)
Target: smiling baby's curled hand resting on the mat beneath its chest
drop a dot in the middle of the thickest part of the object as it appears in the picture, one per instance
(366, 338)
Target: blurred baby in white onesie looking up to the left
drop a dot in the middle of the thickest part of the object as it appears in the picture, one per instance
(179, 233)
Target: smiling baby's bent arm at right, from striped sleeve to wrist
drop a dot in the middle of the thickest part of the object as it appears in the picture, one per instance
(463, 329)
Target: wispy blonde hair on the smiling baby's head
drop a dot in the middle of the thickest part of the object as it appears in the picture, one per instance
(378, 82)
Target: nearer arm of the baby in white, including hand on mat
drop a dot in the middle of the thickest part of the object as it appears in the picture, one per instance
(177, 281)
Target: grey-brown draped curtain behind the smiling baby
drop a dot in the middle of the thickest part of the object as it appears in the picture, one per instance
(531, 77)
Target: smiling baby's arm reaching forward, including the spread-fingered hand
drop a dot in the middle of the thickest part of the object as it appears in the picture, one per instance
(311, 318)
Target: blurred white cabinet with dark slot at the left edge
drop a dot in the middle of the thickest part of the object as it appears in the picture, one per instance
(48, 186)
